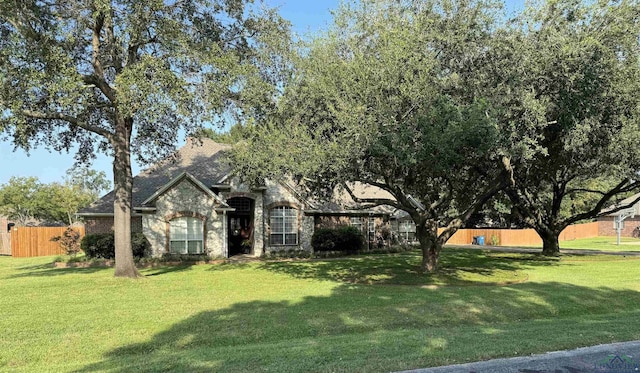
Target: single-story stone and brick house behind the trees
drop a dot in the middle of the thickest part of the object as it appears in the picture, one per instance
(193, 204)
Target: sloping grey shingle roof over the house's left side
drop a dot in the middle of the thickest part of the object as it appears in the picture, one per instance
(203, 159)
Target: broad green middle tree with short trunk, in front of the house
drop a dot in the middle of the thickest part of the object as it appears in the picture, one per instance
(378, 100)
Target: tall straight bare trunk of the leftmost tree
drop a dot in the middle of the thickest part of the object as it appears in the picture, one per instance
(123, 186)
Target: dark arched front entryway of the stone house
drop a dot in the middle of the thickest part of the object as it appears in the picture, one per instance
(240, 223)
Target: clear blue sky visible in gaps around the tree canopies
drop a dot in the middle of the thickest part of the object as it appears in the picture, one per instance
(306, 16)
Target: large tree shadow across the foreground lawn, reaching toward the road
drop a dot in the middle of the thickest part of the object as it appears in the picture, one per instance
(363, 328)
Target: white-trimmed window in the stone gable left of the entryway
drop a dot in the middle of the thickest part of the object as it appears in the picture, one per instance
(186, 236)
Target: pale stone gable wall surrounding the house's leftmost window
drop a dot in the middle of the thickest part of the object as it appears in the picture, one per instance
(184, 199)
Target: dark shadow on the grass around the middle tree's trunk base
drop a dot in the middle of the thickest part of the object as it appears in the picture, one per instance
(457, 267)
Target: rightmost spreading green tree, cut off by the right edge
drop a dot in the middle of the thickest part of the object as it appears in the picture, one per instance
(578, 60)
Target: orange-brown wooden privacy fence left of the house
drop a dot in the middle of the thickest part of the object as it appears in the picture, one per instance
(36, 241)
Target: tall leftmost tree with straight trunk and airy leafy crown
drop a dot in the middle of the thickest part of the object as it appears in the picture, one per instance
(124, 77)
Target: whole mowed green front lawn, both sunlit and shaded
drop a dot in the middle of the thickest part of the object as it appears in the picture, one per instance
(360, 314)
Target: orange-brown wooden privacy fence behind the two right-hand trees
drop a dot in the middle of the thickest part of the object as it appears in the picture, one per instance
(521, 237)
